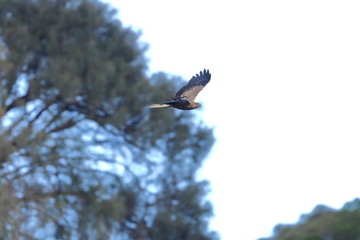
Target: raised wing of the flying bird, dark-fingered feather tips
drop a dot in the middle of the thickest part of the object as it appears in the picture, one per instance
(194, 86)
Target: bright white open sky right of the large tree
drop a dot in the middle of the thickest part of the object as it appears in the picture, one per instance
(284, 99)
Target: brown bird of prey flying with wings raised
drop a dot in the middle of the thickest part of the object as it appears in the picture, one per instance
(184, 98)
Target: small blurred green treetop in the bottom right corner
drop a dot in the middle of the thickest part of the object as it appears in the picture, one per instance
(323, 223)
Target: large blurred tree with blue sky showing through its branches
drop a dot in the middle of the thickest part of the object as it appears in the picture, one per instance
(81, 157)
